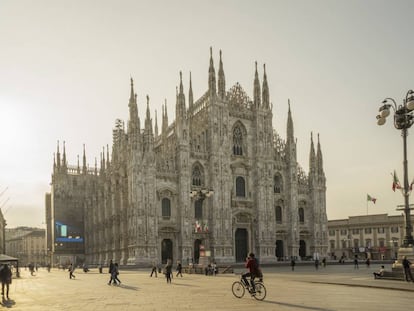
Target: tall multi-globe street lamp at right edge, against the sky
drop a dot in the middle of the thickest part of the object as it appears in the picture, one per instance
(403, 120)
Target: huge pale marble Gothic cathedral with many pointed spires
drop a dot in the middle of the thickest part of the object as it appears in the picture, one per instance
(217, 182)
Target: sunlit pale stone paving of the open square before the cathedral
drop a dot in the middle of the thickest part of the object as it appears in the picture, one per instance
(330, 288)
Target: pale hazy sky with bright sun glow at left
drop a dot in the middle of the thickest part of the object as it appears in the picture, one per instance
(65, 69)
